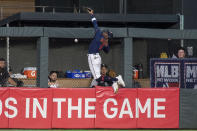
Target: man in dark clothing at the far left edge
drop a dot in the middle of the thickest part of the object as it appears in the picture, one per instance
(4, 75)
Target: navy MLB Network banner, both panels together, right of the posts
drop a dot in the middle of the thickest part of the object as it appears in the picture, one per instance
(167, 73)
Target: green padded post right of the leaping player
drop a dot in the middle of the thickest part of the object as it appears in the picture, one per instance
(128, 61)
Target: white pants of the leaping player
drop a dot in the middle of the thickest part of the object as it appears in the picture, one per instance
(94, 61)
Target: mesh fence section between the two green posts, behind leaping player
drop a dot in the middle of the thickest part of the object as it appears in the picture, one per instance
(71, 55)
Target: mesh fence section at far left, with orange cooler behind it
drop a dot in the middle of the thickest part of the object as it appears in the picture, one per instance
(20, 56)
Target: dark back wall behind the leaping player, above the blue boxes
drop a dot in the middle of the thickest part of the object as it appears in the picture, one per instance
(64, 55)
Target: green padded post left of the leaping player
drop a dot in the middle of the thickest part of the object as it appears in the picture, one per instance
(42, 62)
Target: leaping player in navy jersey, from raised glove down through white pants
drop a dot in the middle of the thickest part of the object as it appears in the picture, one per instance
(99, 43)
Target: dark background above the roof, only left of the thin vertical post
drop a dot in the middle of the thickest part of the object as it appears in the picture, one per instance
(100, 6)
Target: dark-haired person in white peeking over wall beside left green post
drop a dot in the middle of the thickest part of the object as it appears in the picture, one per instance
(52, 81)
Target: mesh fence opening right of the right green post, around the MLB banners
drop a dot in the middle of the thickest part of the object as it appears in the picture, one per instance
(144, 49)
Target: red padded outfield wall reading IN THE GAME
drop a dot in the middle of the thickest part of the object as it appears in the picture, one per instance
(89, 108)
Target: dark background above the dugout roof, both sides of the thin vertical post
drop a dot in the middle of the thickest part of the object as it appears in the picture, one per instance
(113, 6)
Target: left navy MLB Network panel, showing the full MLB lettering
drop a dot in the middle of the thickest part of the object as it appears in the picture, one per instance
(165, 73)
